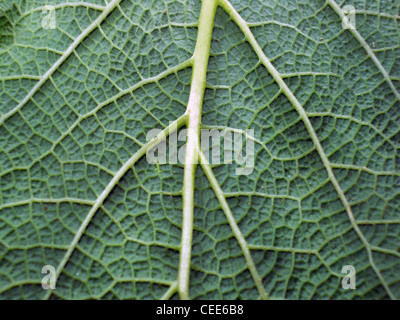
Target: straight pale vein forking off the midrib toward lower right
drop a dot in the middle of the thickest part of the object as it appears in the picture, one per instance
(235, 229)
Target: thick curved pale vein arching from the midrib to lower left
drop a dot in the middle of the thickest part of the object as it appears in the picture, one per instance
(114, 181)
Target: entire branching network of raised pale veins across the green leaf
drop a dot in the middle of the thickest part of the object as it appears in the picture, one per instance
(191, 118)
